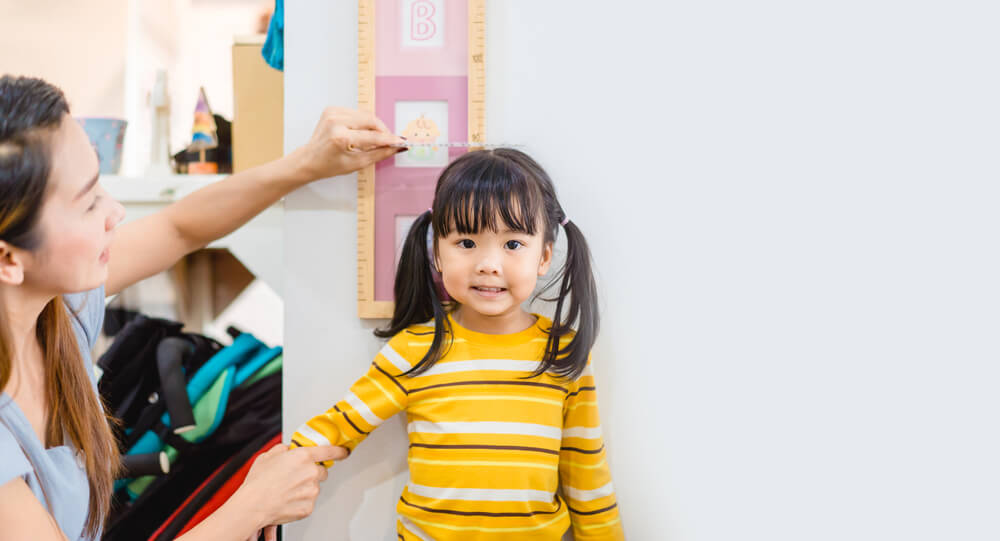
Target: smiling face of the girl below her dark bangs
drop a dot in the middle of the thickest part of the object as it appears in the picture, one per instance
(492, 273)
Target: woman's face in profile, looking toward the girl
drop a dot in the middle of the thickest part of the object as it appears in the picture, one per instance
(77, 220)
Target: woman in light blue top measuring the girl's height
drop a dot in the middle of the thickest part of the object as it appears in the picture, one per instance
(60, 254)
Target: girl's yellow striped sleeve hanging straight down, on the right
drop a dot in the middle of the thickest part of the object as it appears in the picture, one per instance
(584, 474)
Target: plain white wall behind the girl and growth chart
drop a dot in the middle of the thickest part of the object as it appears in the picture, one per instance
(793, 215)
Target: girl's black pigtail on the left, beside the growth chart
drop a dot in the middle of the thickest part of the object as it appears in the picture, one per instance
(416, 294)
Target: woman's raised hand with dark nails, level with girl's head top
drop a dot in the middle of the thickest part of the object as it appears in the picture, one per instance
(344, 141)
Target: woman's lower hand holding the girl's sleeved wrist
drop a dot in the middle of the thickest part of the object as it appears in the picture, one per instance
(282, 484)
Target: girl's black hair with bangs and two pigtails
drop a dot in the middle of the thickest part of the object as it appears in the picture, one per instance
(476, 192)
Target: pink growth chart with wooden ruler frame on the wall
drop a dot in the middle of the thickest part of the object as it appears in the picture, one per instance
(420, 70)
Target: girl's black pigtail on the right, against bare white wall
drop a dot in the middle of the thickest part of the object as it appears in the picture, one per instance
(576, 280)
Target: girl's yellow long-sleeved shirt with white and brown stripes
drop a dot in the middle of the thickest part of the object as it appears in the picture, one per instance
(493, 454)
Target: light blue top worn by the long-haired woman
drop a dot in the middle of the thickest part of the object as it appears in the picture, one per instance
(55, 472)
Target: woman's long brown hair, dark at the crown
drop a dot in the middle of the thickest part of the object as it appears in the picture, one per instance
(30, 112)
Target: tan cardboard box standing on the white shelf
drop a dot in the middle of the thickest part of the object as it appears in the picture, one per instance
(258, 106)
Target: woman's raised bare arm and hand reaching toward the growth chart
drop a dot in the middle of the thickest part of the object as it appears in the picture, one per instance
(345, 140)
